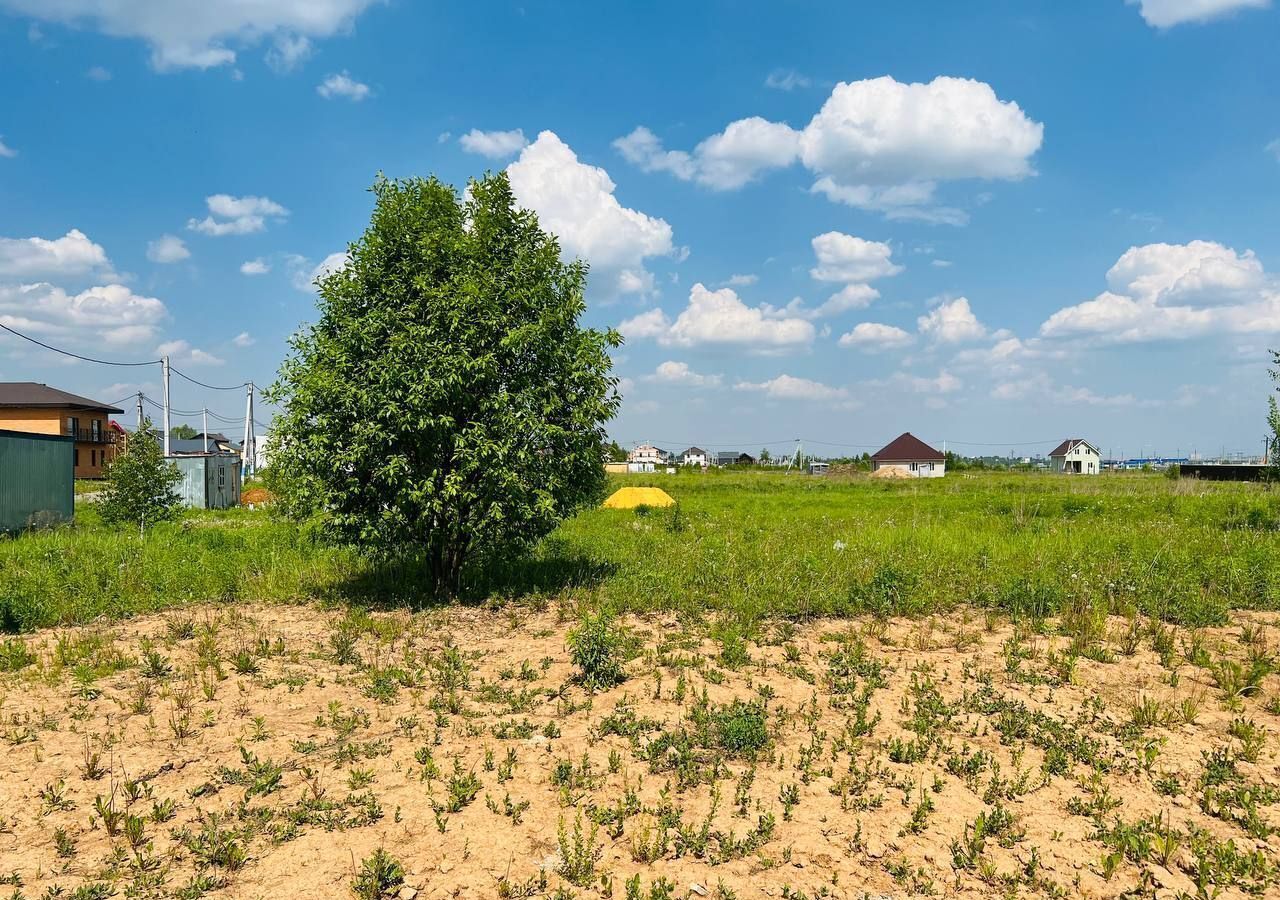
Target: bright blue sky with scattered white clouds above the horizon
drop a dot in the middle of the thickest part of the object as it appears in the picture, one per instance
(996, 227)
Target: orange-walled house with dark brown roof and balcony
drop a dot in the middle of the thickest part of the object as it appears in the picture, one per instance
(28, 406)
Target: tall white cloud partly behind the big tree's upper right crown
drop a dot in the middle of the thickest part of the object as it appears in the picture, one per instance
(575, 202)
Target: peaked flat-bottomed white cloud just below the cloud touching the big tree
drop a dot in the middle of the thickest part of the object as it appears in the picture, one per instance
(721, 318)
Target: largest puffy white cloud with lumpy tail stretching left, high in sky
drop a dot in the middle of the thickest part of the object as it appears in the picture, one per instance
(879, 145)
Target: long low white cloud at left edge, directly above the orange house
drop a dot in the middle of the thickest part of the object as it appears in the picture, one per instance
(109, 314)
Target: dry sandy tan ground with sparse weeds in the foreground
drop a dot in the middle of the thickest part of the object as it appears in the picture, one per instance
(266, 752)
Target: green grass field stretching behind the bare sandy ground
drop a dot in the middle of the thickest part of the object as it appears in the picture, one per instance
(746, 546)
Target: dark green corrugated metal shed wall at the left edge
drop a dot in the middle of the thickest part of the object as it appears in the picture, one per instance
(38, 481)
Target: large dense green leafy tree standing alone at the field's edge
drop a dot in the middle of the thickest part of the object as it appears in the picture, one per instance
(447, 403)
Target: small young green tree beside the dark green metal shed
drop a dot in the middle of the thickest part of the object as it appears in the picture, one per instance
(141, 483)
